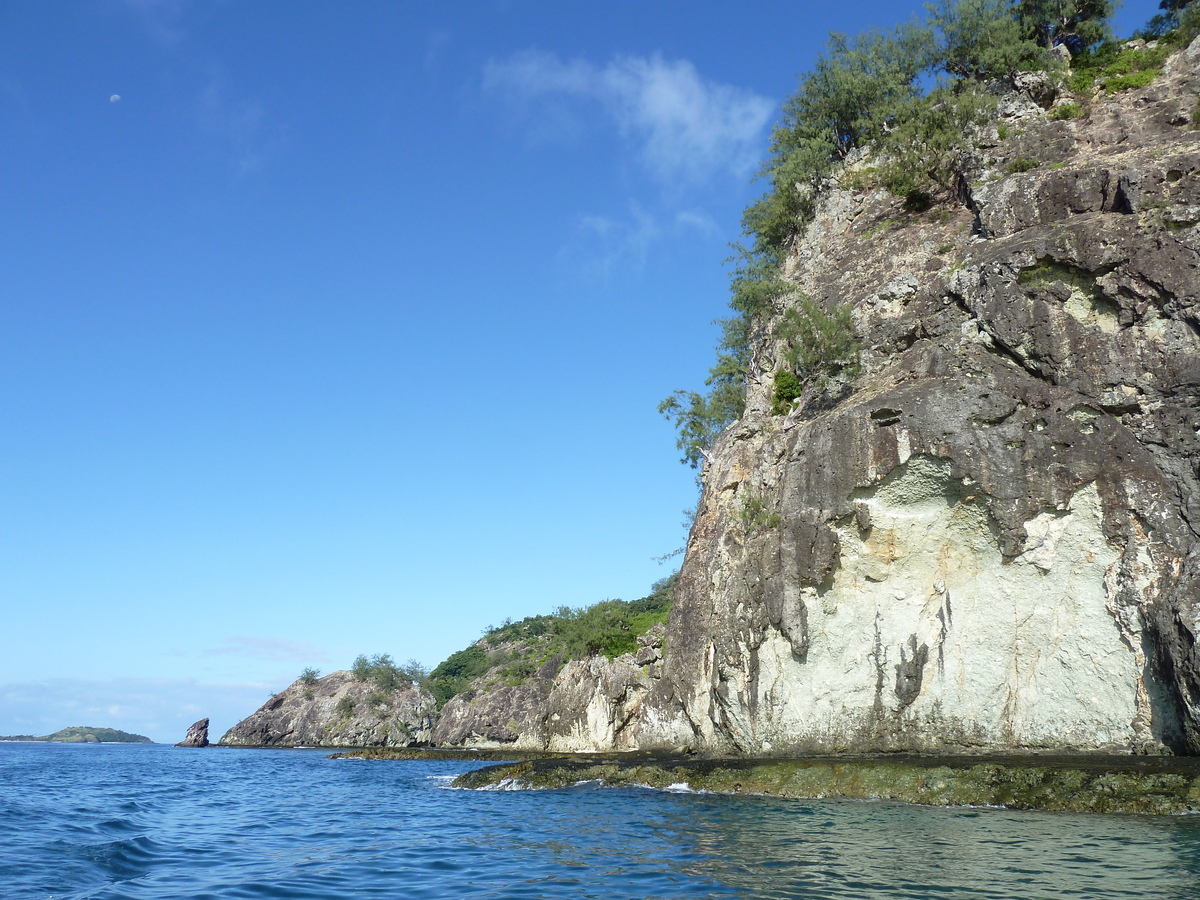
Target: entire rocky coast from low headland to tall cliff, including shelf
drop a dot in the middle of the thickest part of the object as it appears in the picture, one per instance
(964, 569)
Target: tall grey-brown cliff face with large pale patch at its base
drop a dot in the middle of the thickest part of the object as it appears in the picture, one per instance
(989, 541)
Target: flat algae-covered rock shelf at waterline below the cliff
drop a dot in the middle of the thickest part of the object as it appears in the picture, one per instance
(1141, 785)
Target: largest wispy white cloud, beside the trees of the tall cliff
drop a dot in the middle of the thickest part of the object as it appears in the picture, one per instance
(683, 127)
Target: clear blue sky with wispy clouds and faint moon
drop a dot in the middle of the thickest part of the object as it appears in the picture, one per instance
(340, 328)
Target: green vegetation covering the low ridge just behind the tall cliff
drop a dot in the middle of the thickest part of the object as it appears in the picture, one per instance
(518, 651)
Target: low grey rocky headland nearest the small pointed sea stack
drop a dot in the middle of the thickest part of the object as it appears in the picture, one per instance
(338, 711)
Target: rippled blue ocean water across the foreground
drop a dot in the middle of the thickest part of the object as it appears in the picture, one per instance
(154, 821)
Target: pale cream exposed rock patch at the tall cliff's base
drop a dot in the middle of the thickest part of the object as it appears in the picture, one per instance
(925, 623)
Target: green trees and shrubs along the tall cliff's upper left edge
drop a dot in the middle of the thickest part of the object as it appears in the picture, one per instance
(910, 98)
